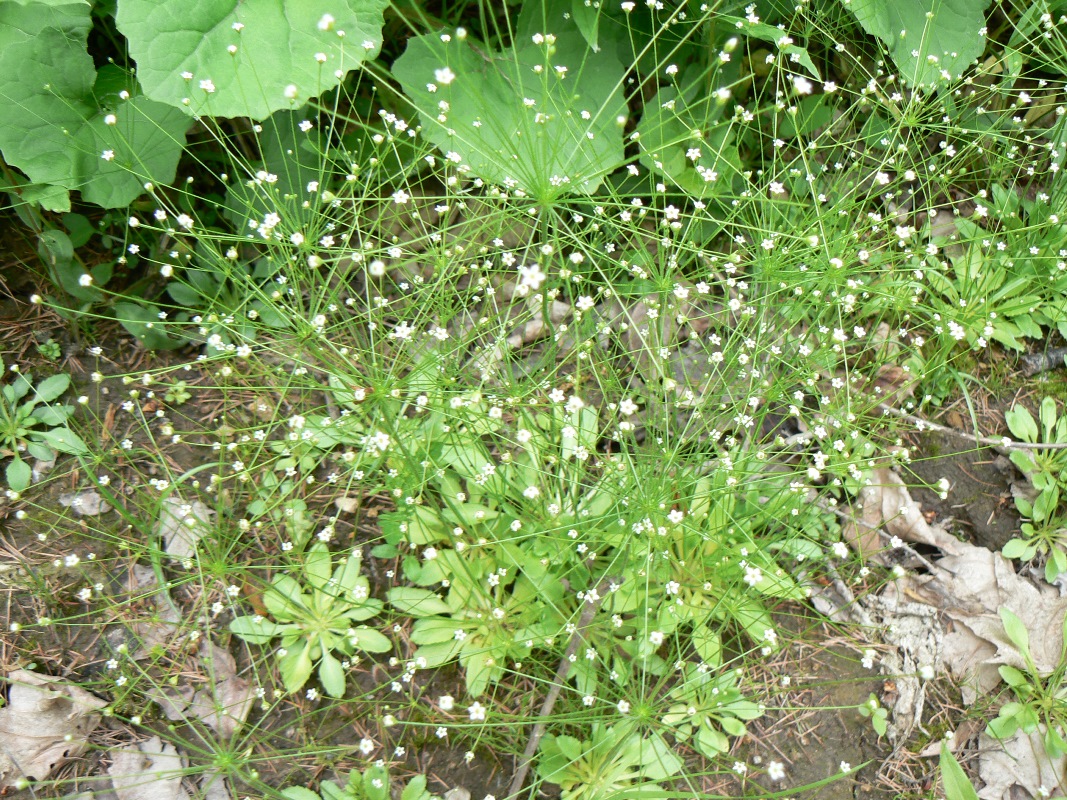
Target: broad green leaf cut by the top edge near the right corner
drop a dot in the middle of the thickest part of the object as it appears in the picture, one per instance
(923, 38)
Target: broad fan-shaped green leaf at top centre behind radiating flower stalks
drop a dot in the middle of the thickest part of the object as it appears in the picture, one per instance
(543, 118)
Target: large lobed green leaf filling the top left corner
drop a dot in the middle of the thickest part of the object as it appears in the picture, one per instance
(62, 136)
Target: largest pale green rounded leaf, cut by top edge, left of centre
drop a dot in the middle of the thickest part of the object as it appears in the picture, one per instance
(277, 49)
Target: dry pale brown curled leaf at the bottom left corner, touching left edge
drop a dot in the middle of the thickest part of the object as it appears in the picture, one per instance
(45, 724)
